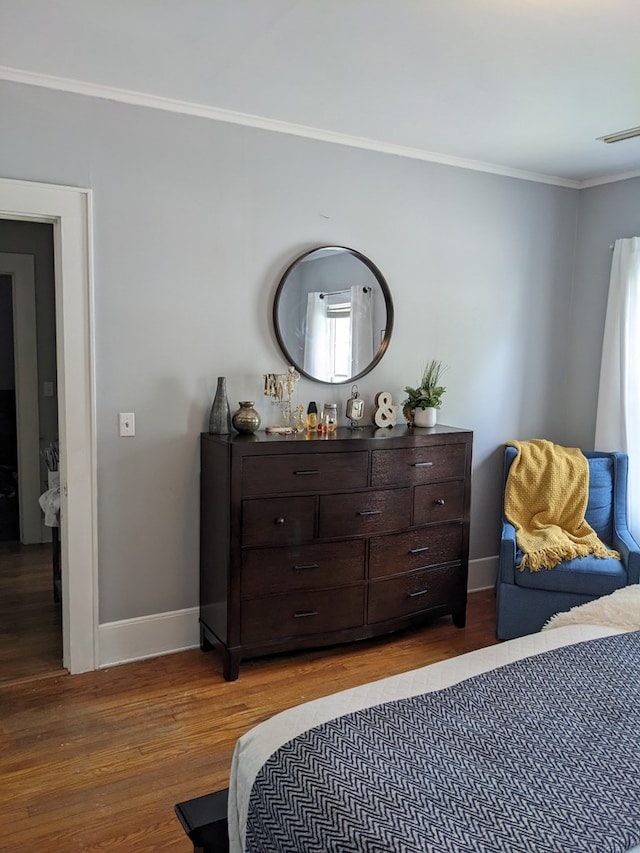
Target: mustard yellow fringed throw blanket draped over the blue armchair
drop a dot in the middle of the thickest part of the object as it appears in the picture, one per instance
(545, 499)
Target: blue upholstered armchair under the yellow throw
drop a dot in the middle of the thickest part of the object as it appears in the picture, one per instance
(526, 599)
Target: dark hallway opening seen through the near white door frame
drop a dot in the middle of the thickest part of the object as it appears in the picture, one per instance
(30, 617)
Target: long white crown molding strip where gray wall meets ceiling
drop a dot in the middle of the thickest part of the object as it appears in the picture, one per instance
(158, 102)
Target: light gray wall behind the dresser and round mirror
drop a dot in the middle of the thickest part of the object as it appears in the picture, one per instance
(194, 223)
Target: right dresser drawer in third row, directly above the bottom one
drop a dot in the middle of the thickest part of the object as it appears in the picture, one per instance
(415, 549)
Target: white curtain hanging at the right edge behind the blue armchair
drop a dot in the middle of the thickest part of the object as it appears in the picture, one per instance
(618, 416)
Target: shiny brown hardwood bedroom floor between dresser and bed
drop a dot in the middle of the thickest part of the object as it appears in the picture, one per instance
(96, 762)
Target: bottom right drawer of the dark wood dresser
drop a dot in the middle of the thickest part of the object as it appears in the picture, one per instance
(414, 592)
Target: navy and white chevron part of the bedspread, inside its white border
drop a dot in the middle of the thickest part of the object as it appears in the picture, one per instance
(539, 755)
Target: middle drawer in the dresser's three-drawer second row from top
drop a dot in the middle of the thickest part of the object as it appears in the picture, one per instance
(364, 512)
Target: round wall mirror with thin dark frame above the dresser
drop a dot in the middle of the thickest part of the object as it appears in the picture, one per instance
(333, 314)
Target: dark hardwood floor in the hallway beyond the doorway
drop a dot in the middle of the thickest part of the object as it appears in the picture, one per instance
(30, 620)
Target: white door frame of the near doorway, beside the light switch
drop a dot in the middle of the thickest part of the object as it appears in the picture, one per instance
(68, 209)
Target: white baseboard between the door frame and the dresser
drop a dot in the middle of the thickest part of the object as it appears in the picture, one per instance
(147, 637)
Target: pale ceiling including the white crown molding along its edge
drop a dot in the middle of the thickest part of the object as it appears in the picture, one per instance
(521, 87)
